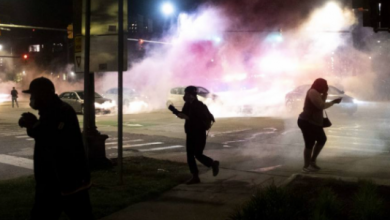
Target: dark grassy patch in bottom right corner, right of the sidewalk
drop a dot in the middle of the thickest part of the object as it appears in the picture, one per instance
(317, 199)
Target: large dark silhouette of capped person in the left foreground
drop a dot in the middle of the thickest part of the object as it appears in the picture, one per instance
(60, 164)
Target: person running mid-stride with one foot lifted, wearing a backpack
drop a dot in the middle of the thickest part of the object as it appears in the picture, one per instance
(198, 120)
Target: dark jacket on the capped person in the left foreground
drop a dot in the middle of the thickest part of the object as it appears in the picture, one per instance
(60, 161)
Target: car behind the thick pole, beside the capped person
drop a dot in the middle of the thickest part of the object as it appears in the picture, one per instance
(76, 100)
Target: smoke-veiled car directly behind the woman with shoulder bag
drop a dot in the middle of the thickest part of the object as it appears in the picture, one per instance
(294, 100)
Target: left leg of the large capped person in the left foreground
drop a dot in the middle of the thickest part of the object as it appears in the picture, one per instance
(47, 205)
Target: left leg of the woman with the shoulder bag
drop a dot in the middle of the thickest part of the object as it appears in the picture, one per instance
(309, 138)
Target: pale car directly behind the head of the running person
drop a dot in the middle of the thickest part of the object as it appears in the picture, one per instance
(176, 94)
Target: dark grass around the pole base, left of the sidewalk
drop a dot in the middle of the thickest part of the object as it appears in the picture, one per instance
(144, 178)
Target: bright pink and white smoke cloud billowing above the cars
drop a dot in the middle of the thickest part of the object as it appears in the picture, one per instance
(250, 58)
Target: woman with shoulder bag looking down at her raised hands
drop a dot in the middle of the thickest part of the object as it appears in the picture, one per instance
(310, 121)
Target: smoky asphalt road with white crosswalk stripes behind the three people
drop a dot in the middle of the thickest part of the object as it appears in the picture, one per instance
(357, 145)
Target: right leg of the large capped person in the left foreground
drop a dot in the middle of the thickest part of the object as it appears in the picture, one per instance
(78, 206)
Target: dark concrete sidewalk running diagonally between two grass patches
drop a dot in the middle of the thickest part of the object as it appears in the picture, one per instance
(215, 198)
